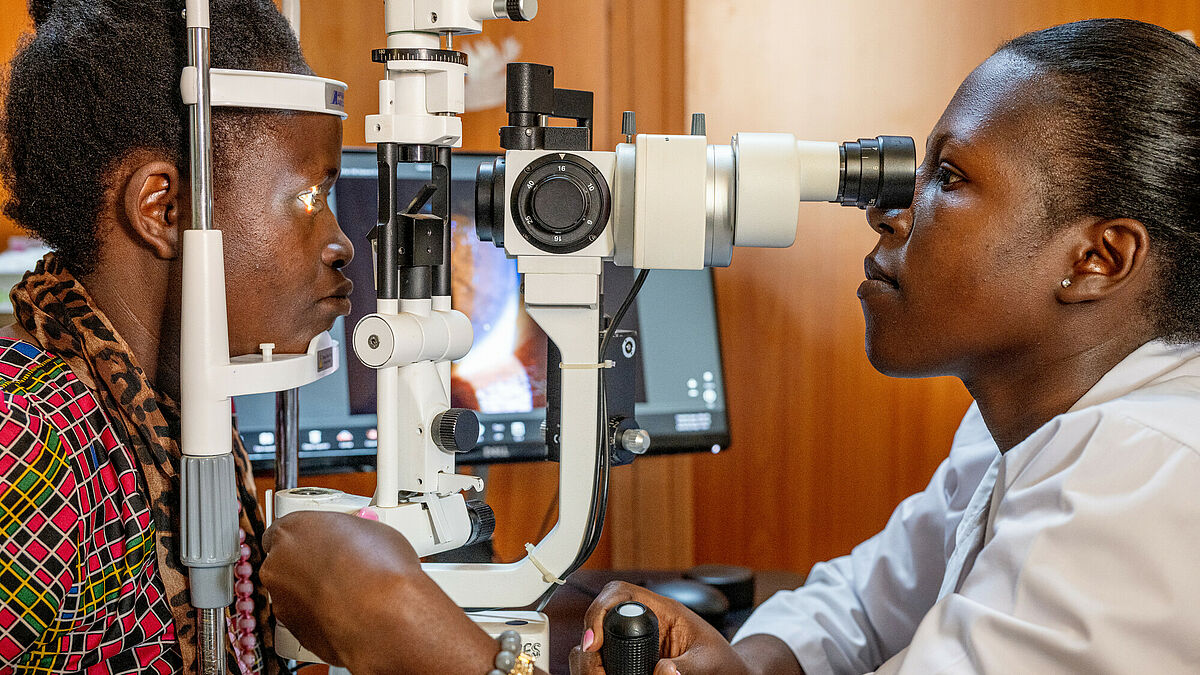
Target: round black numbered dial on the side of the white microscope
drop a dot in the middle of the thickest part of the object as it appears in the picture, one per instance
(561, 204)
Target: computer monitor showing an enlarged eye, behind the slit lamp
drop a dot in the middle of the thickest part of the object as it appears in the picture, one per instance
(680, 391)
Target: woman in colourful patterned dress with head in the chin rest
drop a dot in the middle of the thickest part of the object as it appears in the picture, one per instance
(95, 163)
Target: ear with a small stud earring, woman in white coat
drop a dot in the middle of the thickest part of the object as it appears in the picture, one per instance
(1105, 256)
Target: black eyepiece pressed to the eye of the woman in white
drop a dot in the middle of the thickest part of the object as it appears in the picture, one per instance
(879, 172)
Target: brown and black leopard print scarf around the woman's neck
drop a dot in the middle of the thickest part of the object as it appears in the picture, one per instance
(61, 315)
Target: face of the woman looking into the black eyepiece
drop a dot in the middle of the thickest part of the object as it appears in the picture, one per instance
(965, 279)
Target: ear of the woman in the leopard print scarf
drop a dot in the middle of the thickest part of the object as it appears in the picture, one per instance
(153, 207)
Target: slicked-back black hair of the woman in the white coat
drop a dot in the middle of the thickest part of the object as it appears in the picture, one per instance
(1129, 145)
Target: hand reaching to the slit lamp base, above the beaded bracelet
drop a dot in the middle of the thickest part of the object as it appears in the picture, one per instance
(353, 593)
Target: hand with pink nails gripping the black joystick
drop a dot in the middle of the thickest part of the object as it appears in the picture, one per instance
(689, 644)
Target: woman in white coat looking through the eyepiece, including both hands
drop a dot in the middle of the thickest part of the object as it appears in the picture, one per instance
(1049, 261)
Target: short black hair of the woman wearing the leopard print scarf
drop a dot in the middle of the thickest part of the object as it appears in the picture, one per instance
(99, 82)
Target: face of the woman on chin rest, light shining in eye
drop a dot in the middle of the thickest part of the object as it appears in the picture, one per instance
(284, 247)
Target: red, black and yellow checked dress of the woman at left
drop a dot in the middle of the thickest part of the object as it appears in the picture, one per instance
(80, 582)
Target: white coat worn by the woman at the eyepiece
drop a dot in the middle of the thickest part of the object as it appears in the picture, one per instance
(1090, 560)
